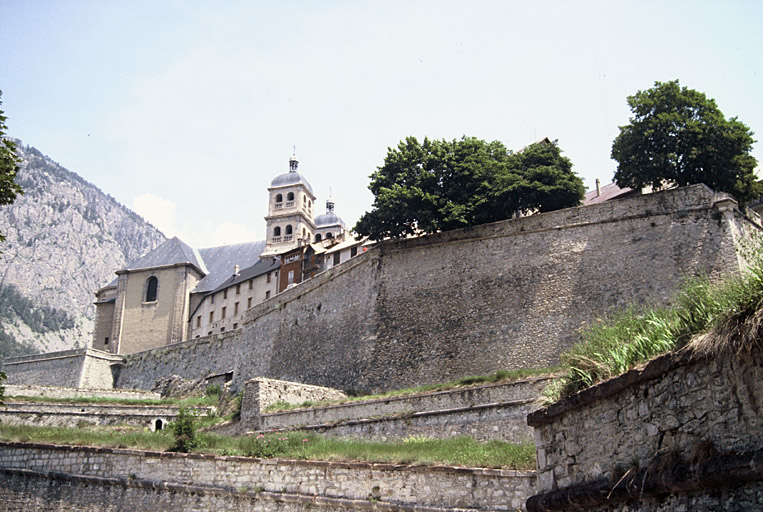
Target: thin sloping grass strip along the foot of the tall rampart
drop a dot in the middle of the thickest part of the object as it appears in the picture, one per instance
(499, 376)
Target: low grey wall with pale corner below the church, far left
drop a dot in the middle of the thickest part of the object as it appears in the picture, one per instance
(87, 368)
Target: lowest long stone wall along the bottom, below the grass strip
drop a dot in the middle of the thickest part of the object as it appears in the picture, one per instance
(331, 485)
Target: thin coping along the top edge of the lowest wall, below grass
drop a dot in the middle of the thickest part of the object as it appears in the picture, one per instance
(383, 466)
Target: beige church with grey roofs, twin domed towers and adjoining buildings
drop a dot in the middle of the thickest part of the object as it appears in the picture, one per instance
(176, 293)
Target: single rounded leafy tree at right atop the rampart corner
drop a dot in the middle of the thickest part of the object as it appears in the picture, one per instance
(678, 136)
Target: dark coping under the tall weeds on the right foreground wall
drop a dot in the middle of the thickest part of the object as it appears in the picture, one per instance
(654, 369)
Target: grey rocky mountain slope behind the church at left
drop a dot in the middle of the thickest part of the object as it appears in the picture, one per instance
(64, 239)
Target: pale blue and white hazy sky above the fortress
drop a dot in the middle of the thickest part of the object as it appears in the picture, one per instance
(186, 110)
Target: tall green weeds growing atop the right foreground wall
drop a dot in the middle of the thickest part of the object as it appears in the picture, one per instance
(705, 317)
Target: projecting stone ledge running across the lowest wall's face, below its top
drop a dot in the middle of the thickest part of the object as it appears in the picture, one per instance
(327, 502)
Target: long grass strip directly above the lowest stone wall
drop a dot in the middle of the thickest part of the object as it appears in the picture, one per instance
(458, 451)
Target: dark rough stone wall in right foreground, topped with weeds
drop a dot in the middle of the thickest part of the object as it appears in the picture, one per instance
(679, 425)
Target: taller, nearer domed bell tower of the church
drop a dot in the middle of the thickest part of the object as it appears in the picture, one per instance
(290, 212)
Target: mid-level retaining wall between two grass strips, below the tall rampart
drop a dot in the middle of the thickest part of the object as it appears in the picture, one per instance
(489, 411)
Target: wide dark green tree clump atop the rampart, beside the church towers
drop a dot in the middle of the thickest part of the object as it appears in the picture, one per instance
(437, 185)
